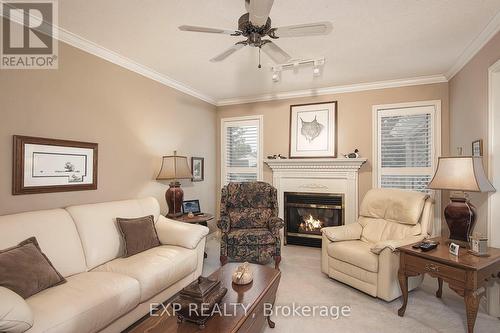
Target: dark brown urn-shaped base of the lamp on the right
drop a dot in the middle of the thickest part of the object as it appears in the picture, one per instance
(460, 216)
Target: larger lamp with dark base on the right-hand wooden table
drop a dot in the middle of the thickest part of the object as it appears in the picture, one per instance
(460, 174)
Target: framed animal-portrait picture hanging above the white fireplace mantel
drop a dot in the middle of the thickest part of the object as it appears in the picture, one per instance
(313, 130)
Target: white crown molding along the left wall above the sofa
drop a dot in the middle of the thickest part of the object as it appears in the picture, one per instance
(90, 47)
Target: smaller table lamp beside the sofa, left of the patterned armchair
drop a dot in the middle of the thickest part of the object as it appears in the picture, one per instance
(173, 168)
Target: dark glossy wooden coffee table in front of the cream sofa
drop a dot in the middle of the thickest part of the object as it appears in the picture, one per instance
(252, 296)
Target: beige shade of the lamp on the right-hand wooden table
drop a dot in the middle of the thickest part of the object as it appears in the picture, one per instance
(461, 173)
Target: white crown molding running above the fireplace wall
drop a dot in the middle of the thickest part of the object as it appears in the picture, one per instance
(336, 90)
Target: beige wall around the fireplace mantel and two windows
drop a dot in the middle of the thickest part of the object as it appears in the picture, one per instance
(354, 121)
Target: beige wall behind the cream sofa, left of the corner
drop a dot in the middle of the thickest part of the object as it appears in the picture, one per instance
(134, 120)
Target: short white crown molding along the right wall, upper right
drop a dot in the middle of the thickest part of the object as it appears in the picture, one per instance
(491, 29)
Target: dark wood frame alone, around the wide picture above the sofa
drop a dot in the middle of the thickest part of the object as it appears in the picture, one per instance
(18, 165)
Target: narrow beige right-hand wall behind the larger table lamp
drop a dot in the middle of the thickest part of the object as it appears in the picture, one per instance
(469, 113)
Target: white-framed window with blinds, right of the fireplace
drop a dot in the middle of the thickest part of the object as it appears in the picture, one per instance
(406, 144)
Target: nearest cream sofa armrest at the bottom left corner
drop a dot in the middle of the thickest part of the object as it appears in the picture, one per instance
(15, 313)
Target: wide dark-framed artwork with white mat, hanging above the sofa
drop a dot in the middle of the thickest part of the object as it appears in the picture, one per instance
(43, 165)
